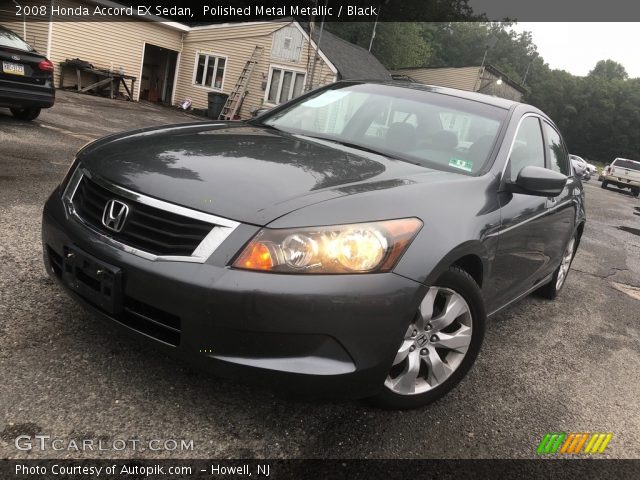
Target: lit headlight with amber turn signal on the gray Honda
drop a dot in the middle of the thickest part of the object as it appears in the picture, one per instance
(355, 248)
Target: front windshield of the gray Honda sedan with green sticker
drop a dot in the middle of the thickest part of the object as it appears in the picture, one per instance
(419, 126)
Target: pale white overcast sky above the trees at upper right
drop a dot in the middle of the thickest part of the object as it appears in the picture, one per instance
(576, 47)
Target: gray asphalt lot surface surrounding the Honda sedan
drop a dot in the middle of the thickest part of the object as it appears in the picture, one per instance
(571, 365)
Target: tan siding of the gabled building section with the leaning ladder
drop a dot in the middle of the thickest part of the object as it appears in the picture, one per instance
(237, 42)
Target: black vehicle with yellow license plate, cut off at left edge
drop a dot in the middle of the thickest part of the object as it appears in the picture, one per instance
(26, 77)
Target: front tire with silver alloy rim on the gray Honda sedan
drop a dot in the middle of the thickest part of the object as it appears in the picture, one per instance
(440, 346)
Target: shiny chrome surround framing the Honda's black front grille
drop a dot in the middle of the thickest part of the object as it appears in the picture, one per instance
(222, 229)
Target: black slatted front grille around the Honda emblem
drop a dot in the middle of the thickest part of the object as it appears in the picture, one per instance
(146, 228)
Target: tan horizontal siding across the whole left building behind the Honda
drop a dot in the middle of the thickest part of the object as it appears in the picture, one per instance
(120, 44)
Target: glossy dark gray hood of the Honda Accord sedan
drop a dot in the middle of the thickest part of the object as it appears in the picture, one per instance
(239, 171)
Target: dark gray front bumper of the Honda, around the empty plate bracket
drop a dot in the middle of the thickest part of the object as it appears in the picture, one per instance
(333, 335)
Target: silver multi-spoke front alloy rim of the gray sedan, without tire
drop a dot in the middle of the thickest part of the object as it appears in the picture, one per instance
(435, 343)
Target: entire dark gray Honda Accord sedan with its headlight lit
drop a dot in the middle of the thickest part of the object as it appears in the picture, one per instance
(349, 243)
